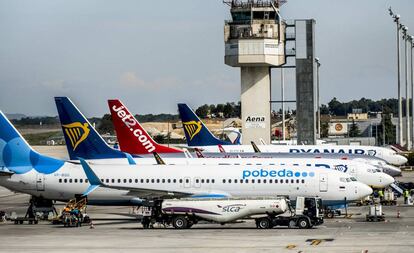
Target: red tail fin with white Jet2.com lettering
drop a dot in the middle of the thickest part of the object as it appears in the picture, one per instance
(132, 137)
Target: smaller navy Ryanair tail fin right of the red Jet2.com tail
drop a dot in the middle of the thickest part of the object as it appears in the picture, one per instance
(196, 133)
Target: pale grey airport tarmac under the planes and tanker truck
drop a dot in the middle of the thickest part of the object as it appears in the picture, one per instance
(117, 229)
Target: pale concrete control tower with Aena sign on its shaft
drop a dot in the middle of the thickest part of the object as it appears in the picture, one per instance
(255, 41)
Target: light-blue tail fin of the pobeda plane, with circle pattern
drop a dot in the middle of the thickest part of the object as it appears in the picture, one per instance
(17, 155)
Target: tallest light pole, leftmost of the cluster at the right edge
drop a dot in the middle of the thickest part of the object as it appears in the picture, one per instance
(396, 18)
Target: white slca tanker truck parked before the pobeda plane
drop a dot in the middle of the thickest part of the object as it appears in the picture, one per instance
(184, 213)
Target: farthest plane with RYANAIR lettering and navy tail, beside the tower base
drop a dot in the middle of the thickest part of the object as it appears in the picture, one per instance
(199, 136)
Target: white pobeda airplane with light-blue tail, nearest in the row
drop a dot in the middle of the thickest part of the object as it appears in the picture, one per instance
(24, 170)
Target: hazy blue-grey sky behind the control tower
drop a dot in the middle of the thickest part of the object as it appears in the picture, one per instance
(155, 54)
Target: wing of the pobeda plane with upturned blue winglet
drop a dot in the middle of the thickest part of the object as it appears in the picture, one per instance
(148, 193)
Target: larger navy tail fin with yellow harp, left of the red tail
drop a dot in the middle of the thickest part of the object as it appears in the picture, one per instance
(81, 138)
